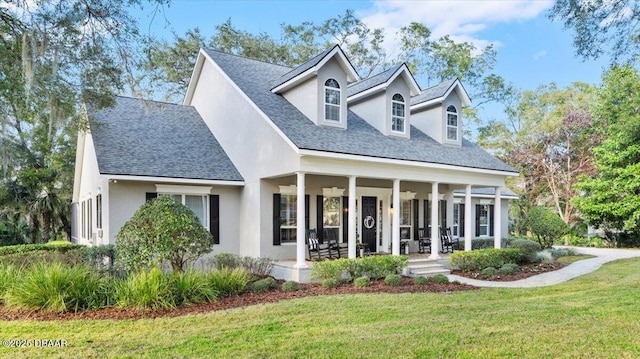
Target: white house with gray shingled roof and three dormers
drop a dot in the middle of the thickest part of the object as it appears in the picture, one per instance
(263, 152)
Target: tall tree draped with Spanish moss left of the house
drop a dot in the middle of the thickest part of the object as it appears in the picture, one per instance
(54, 57)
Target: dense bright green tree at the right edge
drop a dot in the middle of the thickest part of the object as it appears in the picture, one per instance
(611, 199)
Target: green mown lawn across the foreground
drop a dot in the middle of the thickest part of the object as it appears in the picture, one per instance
(595, 316)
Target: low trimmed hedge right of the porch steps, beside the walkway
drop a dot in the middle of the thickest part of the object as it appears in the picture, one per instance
(484, 258)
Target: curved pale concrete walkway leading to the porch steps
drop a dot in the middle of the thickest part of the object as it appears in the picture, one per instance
(576, 269)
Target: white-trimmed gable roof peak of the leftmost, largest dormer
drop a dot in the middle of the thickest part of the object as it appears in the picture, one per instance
(310, 68)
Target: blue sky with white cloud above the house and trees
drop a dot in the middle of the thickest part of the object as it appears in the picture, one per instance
(532, 51)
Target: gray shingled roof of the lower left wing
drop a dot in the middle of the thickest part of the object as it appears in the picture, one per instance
(146, 138)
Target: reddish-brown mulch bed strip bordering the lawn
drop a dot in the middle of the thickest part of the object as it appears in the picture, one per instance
(276, 295)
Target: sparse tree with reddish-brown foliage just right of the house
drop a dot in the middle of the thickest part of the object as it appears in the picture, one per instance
(548, 137)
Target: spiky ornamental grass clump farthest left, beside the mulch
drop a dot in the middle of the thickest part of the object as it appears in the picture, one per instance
(56, 287)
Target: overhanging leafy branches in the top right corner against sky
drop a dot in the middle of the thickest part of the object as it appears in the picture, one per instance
(601, 27)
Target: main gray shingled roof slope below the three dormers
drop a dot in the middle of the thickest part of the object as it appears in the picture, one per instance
(360, 138)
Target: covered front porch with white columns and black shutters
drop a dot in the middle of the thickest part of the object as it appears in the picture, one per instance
(379, 214)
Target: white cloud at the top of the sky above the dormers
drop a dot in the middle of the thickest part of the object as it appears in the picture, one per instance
(462, 20)
